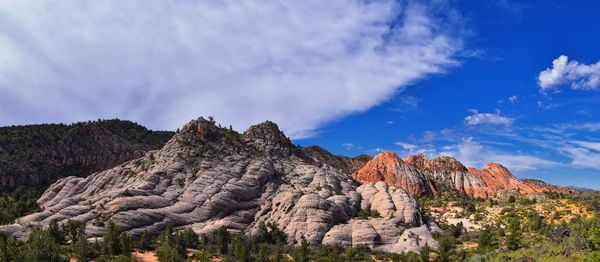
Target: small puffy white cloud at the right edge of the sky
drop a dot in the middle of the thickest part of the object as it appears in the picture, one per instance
(563, 71)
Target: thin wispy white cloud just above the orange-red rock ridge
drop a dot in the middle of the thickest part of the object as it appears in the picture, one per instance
(472, 153)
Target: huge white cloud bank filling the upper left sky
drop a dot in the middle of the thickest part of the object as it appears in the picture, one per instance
(162, 63)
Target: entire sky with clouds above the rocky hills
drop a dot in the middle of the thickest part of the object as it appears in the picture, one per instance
(514, 82)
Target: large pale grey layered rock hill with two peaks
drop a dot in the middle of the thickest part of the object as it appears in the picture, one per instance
(207, 177)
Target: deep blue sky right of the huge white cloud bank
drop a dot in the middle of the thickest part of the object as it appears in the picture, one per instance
(547, 134)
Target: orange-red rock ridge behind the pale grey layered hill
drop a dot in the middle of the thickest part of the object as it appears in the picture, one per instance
(423, 177)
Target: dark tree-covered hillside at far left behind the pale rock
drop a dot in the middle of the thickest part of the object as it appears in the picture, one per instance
(40, 154)
